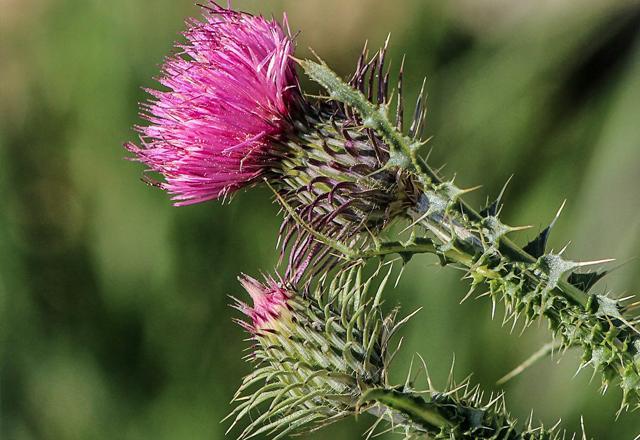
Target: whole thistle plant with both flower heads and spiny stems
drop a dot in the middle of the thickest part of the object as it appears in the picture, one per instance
(232, 115)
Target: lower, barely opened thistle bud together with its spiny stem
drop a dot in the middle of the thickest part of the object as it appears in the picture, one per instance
(323, 354)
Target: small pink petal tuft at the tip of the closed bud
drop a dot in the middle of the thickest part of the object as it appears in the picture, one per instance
(269, 303)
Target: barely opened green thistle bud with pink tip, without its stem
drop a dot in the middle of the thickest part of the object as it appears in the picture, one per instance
(315, 353)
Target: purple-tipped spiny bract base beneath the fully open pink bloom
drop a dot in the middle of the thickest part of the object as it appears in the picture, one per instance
(339, 182)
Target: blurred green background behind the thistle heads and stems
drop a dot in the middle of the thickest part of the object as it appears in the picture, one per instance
(114, 320)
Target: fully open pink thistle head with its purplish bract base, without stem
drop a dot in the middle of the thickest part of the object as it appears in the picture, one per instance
(233, 116)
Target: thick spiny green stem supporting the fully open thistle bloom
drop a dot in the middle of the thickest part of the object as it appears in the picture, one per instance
(530, 282)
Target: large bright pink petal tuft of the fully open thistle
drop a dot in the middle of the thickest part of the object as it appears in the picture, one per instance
(230, 94)
